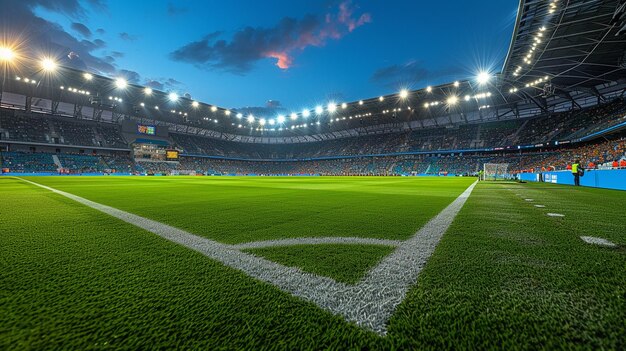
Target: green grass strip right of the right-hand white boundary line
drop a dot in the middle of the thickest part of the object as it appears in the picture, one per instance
(506, 276)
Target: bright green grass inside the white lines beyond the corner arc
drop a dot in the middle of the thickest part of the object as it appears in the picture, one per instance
(243, 209)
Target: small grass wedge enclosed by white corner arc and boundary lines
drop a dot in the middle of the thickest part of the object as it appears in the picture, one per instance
(344, 263)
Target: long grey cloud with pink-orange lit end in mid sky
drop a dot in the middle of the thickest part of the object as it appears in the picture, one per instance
(282, 42)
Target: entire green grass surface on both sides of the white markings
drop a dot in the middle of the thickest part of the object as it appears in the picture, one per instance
(505, 275)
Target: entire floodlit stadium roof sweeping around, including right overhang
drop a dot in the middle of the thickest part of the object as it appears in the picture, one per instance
(563, 55)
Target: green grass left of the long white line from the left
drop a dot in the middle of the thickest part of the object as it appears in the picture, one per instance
(74, 278)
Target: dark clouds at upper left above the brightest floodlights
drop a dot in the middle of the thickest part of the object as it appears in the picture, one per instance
(21, 25)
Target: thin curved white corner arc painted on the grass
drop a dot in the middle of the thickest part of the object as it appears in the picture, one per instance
(315, 241)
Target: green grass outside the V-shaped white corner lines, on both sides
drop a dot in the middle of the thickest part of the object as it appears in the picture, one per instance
(505, 276)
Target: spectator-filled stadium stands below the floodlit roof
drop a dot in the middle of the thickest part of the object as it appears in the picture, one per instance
(458, 150)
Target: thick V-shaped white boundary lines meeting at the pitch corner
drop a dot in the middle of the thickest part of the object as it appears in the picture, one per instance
(370, 303)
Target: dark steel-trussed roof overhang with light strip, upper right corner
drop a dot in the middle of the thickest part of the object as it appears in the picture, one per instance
(570, 45)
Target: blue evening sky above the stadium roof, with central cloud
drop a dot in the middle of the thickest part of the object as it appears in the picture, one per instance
(374, 47)
